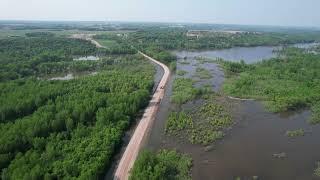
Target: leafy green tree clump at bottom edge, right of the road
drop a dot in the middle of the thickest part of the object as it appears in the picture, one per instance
(165, 164)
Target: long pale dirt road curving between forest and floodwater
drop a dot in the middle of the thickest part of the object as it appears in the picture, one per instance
(136, 141)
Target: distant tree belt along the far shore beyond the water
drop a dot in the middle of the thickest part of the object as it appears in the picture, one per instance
(181, 38)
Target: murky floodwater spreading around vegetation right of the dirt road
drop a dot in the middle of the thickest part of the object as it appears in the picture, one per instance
(248, 148)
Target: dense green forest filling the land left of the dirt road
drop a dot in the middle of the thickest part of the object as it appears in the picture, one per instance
(55, 129)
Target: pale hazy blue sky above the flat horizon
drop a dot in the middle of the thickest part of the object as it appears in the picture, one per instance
(248, 12)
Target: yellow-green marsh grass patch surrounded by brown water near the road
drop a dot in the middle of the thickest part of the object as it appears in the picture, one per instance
(204, 125)
